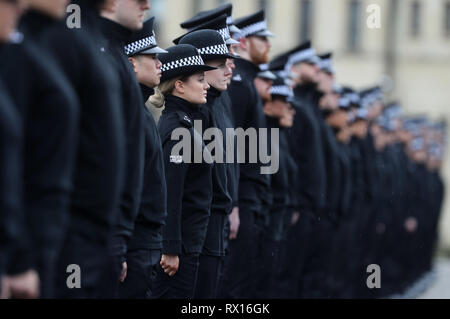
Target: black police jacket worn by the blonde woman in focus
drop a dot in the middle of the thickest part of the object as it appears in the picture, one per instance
(189, 184)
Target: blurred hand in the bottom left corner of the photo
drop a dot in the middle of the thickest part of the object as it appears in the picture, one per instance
(24, 286)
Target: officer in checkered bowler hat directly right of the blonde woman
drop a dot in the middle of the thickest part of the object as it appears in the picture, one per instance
(214, 52)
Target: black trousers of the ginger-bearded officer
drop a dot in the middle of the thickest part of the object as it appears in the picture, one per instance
(239, 269)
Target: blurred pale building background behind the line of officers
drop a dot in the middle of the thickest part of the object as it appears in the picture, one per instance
(409, 53)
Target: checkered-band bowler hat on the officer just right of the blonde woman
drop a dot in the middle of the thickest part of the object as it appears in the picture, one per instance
(209, 43)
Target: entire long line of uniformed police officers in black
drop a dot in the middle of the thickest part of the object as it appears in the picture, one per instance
(355, 175)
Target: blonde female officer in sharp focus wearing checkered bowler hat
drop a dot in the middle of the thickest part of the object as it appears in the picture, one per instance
(189, 183)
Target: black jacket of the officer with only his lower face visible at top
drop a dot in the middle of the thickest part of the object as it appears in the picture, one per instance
(133, 114)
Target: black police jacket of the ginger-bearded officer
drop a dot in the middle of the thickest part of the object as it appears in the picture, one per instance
(248, 113)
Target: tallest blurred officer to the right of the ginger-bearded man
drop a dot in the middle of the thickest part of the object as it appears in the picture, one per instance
(302, 62)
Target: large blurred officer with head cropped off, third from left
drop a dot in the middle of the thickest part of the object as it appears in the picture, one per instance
(100, 155)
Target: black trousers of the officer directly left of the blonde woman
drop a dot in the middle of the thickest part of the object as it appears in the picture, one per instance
(141, 272)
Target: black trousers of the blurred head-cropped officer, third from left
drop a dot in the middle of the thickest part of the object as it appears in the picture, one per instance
(92, 260)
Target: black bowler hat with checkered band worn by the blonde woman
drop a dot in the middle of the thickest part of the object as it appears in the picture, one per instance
(181, 60)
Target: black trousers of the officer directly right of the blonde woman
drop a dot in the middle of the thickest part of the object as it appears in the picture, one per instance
(209, 274)
